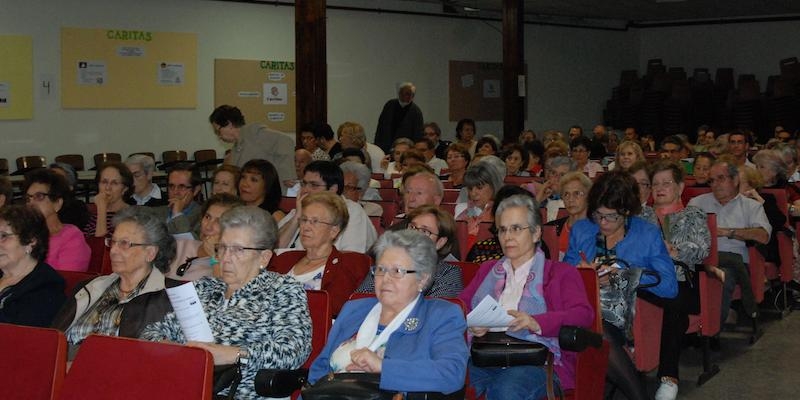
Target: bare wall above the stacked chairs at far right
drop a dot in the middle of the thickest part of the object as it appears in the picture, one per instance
(751, 48)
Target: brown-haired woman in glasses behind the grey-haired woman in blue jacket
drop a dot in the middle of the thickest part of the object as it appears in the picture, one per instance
(439, 226)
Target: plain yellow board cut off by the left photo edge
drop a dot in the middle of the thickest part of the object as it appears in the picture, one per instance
(16, 77)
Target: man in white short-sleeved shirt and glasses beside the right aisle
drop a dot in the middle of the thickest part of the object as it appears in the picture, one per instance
(739, 219)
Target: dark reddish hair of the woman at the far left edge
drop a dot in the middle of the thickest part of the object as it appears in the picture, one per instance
(30, 227)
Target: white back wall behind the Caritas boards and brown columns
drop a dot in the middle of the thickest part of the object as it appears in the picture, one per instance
(571, 71)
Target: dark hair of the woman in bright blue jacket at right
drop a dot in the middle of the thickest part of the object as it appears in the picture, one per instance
(616, 190)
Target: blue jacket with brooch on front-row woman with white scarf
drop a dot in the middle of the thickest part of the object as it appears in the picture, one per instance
(431, 357)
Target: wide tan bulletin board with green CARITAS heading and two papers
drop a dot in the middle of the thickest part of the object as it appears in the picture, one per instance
(123, 68)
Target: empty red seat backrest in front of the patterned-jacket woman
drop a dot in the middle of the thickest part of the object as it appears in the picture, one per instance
(150, 369)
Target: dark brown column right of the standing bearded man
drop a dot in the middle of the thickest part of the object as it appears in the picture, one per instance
(513, 62)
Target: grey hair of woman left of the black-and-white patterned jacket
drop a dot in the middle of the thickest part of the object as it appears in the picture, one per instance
(155, 233)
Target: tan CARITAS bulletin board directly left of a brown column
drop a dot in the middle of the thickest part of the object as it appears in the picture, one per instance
(264, 90)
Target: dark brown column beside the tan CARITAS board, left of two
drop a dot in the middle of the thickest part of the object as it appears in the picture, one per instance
(311, 62)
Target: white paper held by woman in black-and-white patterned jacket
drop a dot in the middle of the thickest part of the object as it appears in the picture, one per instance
(189, 312)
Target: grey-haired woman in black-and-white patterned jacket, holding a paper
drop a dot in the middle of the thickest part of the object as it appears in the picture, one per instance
(257, 317)
